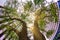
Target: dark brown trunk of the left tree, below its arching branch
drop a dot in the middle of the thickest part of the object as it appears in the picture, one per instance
(23, 33)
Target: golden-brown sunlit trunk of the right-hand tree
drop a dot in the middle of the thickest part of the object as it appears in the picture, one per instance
(36, 31)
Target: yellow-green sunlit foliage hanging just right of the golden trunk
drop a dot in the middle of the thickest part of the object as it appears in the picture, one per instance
(41, 18)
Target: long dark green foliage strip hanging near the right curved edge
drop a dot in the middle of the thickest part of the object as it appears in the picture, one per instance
(53, 10)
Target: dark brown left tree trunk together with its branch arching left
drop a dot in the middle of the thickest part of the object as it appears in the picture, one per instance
(23, 34)
